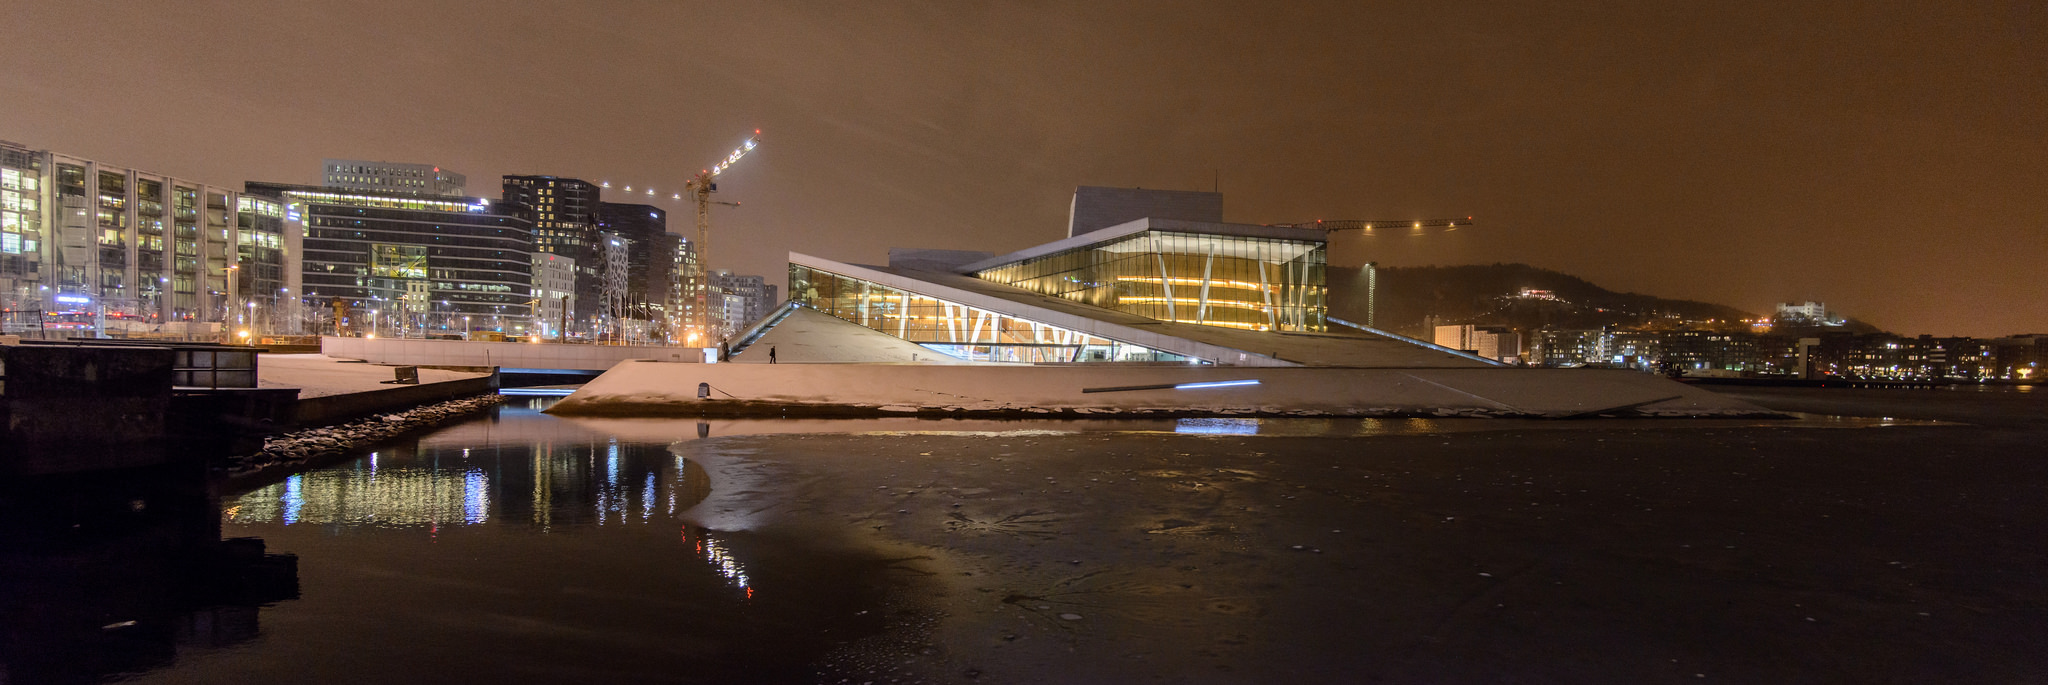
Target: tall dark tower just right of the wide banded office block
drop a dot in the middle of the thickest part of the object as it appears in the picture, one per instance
(564, 223)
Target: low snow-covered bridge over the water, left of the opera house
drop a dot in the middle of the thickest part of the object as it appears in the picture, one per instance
(511, 358)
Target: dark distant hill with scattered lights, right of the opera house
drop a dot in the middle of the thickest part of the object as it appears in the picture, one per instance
(1490, 296)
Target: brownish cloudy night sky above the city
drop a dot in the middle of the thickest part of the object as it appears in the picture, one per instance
(1885, 157)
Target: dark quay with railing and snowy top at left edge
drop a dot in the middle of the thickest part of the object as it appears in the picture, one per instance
(73, 407)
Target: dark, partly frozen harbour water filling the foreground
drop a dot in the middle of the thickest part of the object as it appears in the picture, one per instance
(534, 549)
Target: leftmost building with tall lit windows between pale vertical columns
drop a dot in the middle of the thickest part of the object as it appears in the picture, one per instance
(87, 245)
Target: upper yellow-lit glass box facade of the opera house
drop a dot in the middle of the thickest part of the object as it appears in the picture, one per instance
(1238, 282)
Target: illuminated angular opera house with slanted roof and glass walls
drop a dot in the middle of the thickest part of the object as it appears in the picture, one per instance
(1150, 290)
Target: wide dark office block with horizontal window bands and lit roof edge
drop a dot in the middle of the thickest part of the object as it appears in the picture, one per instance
(409, 266)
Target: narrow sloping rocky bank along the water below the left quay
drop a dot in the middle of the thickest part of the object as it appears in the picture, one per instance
(300, 448)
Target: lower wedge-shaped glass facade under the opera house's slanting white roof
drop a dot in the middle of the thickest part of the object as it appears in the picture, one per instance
(955, 329)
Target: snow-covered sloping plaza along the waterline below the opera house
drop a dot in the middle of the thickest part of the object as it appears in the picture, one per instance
(671, 389)
